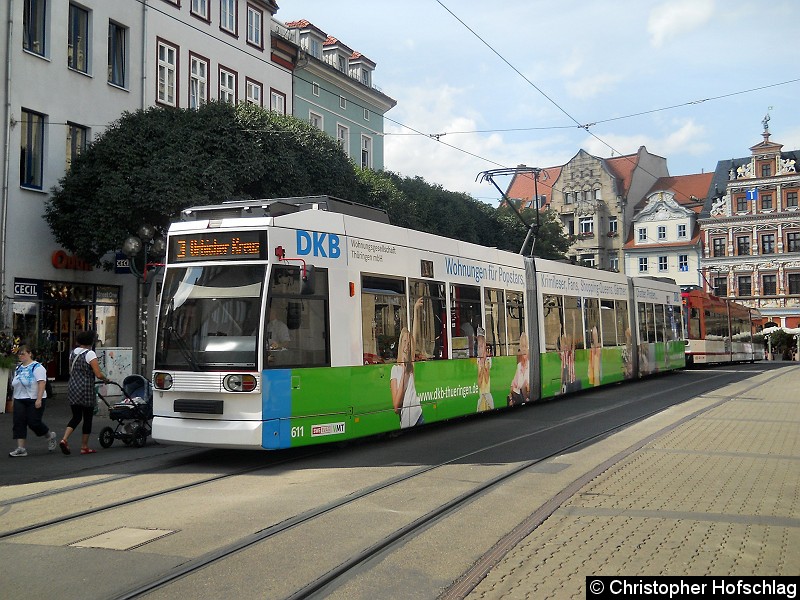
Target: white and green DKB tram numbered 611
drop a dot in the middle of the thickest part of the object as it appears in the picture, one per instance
(298, 321)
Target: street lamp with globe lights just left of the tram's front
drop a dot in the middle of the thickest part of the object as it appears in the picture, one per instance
(145, 246)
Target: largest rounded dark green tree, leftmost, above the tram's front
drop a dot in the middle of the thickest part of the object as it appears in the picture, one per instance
(150, 164)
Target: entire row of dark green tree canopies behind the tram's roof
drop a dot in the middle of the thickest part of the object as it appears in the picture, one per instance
(150, 164)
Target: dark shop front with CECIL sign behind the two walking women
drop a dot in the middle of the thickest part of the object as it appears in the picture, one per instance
(55, 311)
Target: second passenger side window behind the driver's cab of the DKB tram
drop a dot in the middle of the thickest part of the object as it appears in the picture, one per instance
(431, 342)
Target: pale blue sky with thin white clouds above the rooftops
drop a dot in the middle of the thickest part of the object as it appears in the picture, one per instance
(534, 81)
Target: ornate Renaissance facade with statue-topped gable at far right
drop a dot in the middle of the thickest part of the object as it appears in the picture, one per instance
(751, 232)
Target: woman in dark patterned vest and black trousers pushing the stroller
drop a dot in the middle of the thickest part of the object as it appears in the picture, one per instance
(83, 369)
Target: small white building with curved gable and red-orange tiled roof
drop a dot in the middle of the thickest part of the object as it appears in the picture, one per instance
(664, 240)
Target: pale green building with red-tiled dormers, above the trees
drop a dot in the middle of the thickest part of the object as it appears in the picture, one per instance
(334, 91)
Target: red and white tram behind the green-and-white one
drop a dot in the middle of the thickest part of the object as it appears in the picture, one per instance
(717, 330)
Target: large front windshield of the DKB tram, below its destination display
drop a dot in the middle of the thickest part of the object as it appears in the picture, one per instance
(209, 318)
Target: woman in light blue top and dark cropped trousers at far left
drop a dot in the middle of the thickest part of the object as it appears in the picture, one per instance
(28, 386)
